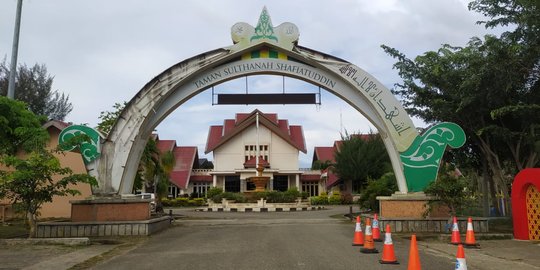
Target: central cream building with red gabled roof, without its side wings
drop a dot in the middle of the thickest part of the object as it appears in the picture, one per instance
(234, 149)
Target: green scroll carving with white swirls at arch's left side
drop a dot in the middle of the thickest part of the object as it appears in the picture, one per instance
(89, 150)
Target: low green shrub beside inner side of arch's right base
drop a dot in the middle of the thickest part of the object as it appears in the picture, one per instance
(384, 186)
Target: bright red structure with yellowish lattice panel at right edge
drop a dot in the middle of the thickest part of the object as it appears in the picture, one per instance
(526, 204)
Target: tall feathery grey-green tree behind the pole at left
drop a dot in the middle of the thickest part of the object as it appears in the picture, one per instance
(33, 85)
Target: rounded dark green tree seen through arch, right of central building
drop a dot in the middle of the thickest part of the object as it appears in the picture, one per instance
(361, 157)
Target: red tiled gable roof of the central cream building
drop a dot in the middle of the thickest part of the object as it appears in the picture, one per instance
(218, 135)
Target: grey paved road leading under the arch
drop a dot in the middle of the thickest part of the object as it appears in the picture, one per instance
(303, 240)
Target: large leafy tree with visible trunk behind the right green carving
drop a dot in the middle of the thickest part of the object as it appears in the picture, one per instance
(484, 87)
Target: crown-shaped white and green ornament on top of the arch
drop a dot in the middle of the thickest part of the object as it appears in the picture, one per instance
(244, 35)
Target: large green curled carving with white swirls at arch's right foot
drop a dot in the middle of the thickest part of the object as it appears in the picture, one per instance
(422, 160)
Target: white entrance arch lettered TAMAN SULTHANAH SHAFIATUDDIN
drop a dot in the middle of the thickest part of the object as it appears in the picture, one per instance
(263, 49)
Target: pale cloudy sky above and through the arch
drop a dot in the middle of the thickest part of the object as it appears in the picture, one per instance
(101, 51)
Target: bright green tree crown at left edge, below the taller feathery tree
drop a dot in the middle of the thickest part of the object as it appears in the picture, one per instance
(20, 129)
